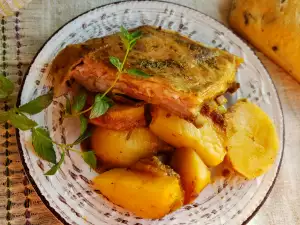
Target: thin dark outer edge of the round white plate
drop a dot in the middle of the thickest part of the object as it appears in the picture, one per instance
(26, 169)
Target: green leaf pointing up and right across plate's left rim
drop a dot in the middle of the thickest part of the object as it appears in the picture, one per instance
(37, 105)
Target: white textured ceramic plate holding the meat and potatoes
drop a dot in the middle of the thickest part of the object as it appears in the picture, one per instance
(68, 194)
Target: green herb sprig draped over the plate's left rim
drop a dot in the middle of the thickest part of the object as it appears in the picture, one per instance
(41, 140)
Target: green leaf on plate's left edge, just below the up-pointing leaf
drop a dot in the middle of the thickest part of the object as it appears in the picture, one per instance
(20, 121)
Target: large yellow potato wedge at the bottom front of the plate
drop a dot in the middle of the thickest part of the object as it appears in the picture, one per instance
(145, 195)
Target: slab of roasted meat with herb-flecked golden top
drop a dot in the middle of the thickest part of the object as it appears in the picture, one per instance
(184, 73)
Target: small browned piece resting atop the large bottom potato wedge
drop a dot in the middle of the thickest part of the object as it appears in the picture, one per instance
(153, 166)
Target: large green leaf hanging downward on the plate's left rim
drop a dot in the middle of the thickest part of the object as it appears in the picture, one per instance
(43, 145)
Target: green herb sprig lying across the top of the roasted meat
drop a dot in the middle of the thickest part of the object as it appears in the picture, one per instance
(102, 103)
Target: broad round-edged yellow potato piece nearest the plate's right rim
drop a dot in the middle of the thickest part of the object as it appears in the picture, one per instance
(252, 140)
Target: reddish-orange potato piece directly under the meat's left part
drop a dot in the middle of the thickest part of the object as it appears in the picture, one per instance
(121, 117)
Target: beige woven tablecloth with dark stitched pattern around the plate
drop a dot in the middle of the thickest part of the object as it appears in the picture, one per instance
(25, 32)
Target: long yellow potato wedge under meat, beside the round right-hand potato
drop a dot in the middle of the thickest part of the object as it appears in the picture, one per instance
(181, 133)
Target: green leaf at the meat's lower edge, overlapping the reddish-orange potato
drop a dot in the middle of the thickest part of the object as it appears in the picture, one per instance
(100, 106)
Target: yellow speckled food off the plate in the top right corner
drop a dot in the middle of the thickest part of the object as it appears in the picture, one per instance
(273, 26)
